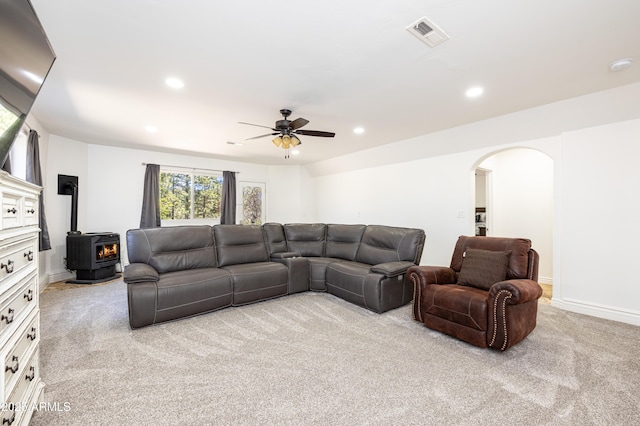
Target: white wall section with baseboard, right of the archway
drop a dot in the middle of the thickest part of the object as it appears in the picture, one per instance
(599, 221)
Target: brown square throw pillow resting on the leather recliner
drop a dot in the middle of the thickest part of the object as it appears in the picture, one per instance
(483, 268)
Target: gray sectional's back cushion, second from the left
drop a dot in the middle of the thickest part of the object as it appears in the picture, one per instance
(237, 244)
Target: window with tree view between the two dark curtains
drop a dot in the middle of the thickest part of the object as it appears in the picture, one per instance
(190, 196)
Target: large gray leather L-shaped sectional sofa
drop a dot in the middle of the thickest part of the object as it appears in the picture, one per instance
(177, 272)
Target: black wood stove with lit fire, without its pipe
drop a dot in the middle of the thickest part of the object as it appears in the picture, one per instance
(93, 256)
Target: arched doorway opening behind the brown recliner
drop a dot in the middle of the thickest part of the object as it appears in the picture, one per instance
(514, 198)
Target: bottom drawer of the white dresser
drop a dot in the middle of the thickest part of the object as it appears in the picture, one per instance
(18, 405)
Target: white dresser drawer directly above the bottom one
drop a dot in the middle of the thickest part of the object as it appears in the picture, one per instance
(27, 339)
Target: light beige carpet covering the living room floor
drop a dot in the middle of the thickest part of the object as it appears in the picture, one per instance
(313, 358)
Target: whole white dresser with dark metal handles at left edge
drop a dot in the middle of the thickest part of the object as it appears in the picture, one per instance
(21, 388)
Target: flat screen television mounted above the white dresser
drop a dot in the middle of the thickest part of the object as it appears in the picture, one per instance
(26, 58)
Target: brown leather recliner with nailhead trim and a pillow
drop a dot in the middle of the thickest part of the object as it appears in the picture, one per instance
(487, 297)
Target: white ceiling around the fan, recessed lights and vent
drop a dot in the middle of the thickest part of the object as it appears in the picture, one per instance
(339, 64)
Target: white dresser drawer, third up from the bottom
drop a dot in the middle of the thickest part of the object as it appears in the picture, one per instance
(18, 304)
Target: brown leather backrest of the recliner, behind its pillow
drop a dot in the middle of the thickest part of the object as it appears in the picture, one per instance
(519, 262)
